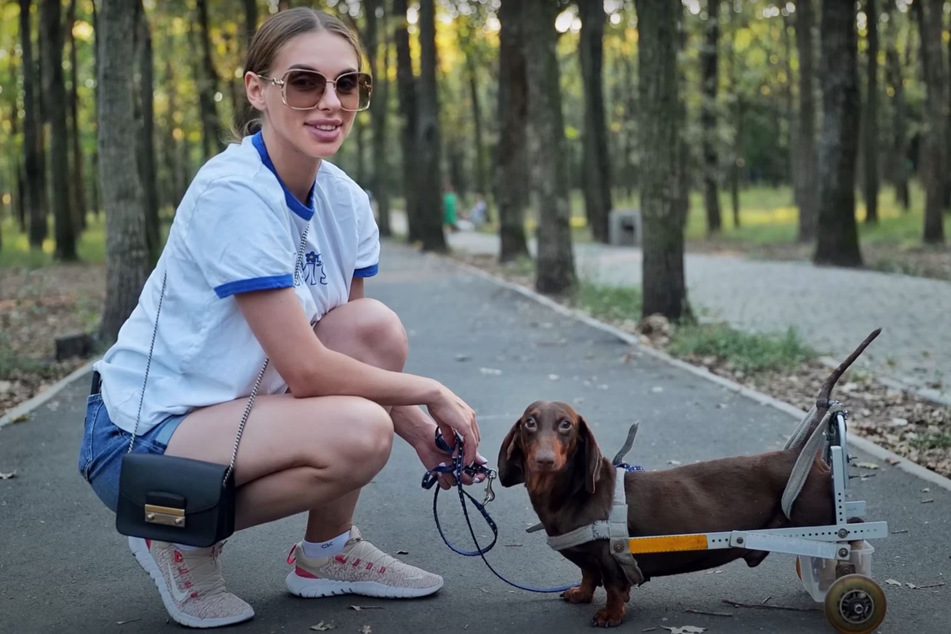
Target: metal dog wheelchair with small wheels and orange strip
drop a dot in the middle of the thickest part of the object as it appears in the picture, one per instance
(833, 562)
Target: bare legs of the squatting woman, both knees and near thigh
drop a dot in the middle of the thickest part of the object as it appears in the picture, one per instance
(306, 454)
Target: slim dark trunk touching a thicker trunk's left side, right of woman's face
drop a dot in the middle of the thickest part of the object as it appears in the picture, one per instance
(406, 89)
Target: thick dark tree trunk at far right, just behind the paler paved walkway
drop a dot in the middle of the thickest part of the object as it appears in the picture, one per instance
(838, 242)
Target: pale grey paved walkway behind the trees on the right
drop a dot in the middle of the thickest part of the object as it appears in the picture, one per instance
(832, 308)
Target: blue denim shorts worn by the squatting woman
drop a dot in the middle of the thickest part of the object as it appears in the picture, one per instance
(100, 454)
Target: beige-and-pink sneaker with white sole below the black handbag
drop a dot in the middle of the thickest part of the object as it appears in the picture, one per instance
(190, 583)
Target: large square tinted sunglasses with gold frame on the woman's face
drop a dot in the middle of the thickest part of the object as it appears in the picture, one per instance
(303, 89)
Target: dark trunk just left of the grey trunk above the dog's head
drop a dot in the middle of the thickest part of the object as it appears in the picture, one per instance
(511, 160)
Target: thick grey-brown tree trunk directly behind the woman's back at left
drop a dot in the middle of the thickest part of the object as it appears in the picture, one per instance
(126, 251)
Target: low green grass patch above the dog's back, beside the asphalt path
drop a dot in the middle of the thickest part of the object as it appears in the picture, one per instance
(744, 351)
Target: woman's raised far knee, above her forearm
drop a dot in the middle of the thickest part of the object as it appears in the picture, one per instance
(368, 330)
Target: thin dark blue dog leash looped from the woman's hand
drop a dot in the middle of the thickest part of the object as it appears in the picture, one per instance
(457, 470)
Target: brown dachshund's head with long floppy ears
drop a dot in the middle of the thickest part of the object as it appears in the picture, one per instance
(549, 438)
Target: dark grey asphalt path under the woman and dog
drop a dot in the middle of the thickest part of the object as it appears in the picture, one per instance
(64, 568)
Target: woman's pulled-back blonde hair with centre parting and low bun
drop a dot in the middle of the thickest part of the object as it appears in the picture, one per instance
(276, 31)
